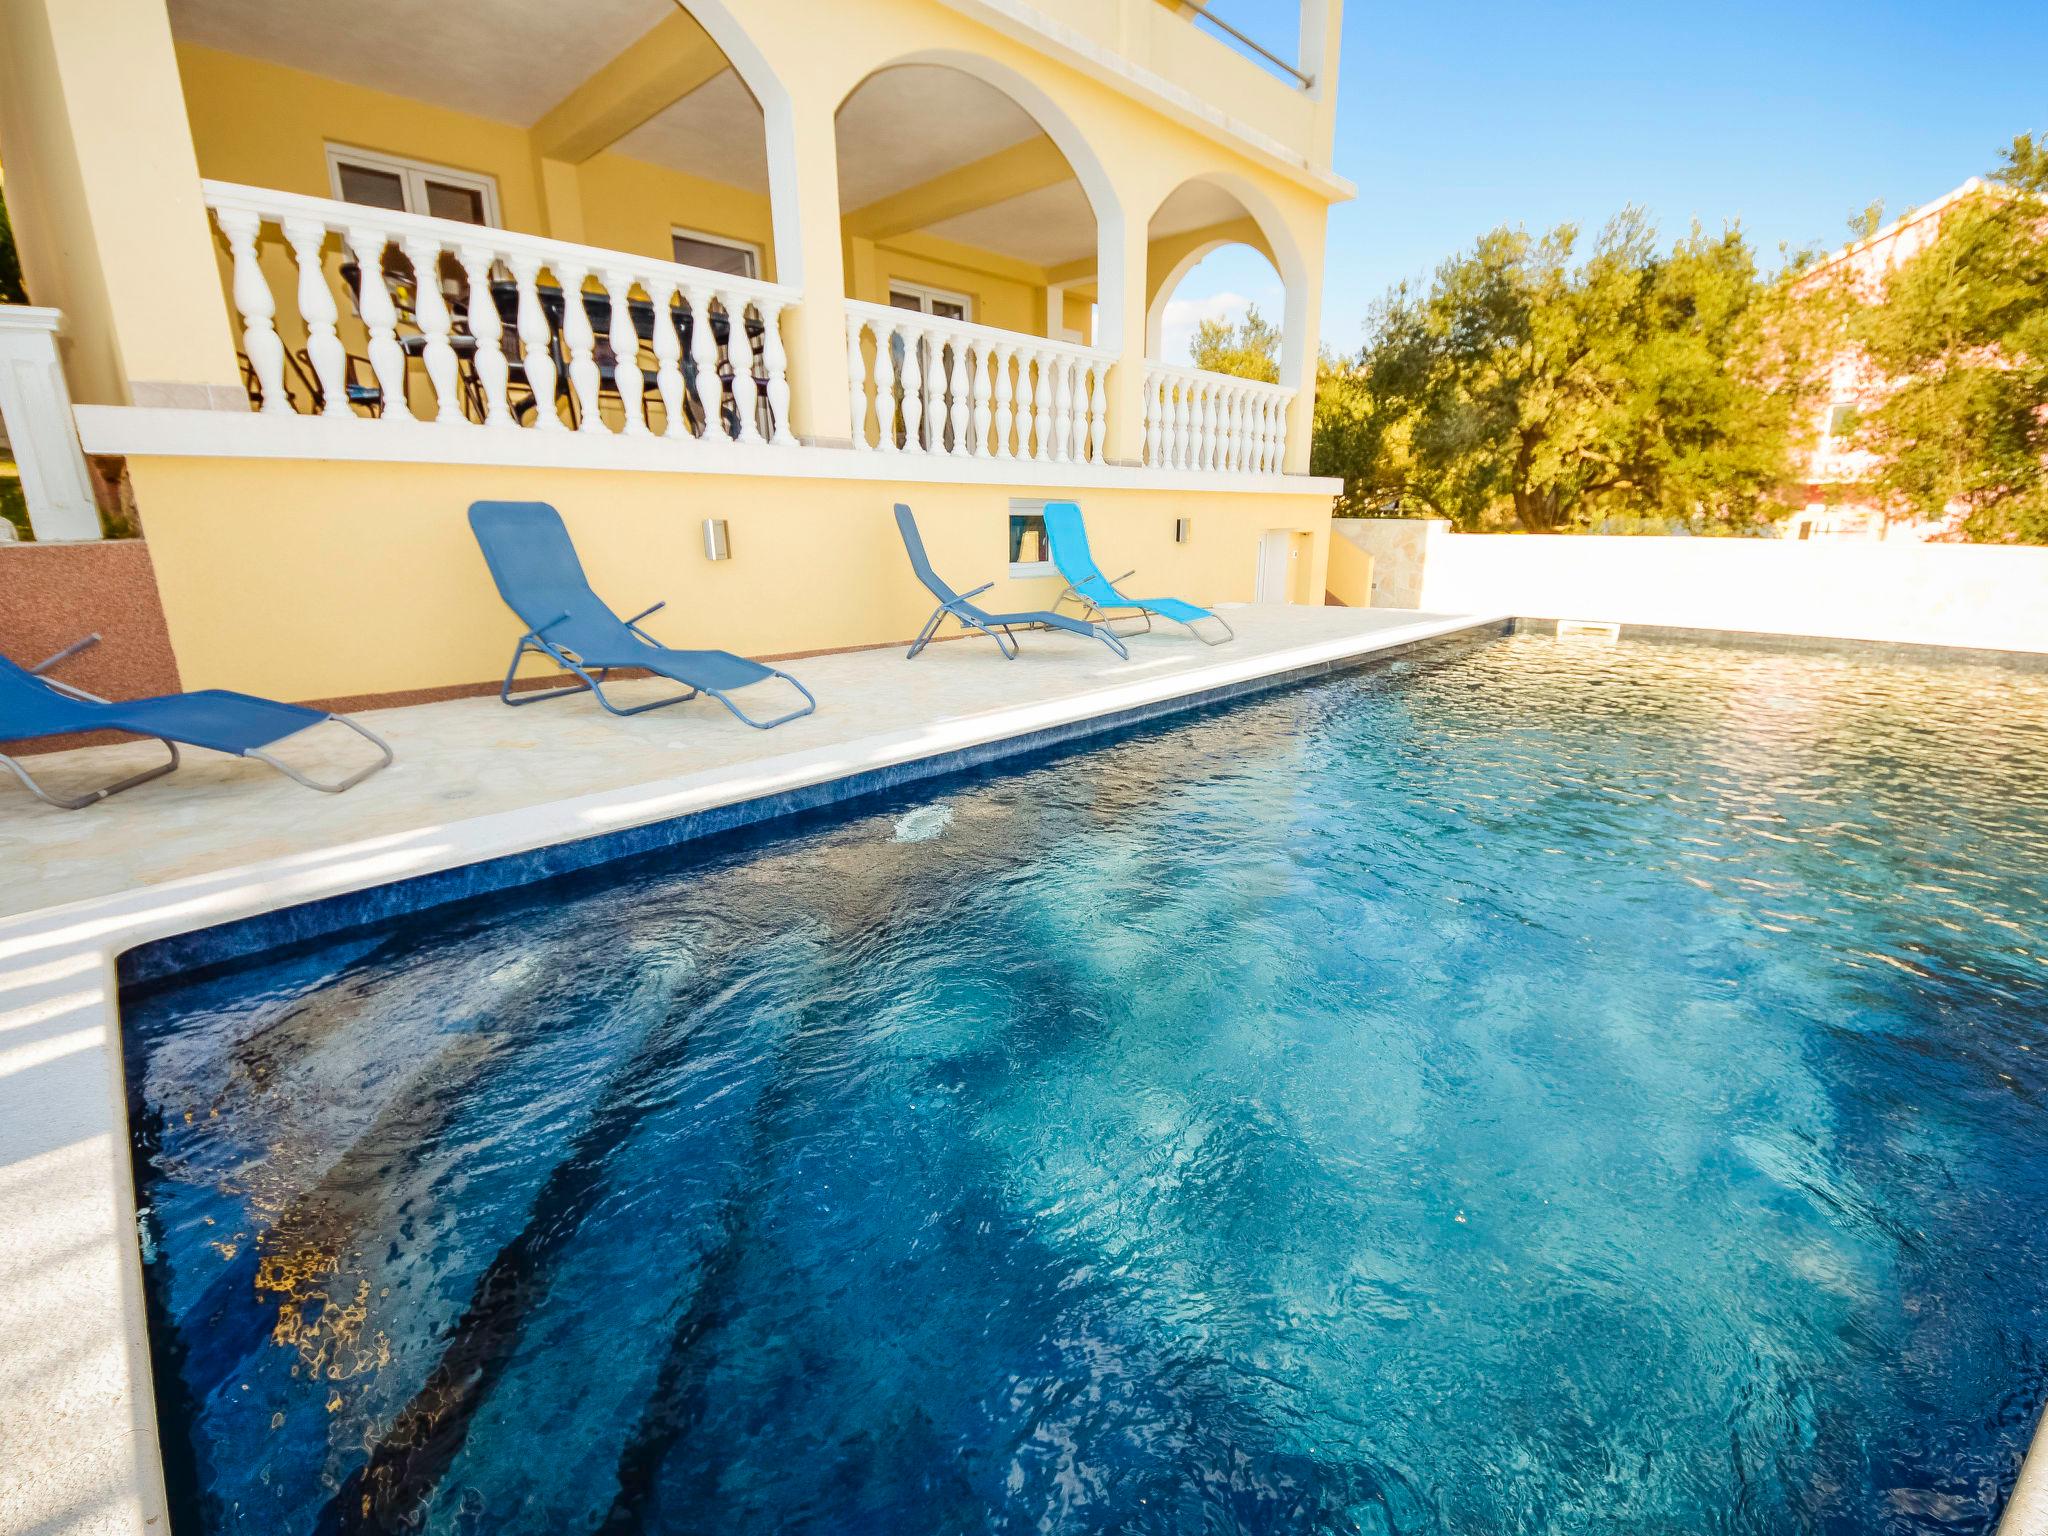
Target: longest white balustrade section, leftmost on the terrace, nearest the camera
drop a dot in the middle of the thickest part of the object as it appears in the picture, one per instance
(564, 331)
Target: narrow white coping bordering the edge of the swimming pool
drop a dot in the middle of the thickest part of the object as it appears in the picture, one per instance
(79, 1453)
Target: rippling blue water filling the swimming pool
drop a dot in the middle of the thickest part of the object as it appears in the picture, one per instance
(1545, 1086)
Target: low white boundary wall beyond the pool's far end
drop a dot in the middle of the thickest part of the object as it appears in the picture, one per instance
(1920, 595)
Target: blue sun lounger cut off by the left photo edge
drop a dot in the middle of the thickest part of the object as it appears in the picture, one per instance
(36, 708)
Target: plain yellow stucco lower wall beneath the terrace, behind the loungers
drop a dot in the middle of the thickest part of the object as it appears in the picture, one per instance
(329, 581)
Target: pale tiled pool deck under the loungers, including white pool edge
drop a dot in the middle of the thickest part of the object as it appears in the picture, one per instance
(474, 781)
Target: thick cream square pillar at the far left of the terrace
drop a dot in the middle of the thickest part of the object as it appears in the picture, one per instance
(103, 194)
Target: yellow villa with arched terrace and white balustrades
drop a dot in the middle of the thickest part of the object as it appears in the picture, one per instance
(908, 251)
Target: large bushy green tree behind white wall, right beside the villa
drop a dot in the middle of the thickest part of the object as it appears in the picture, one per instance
(1543, 388)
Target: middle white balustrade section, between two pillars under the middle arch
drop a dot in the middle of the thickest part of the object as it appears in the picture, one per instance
(957, 390)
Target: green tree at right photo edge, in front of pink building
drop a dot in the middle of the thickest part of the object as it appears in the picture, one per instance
(1961, 331)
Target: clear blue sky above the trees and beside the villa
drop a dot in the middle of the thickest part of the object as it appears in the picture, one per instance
(1461, 116)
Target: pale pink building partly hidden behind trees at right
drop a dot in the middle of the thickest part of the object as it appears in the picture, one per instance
(1840, 501)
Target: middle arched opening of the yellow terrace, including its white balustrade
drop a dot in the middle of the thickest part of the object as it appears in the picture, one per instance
(974, 226)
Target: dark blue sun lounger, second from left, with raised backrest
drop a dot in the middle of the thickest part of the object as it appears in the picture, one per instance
(544, 583)
